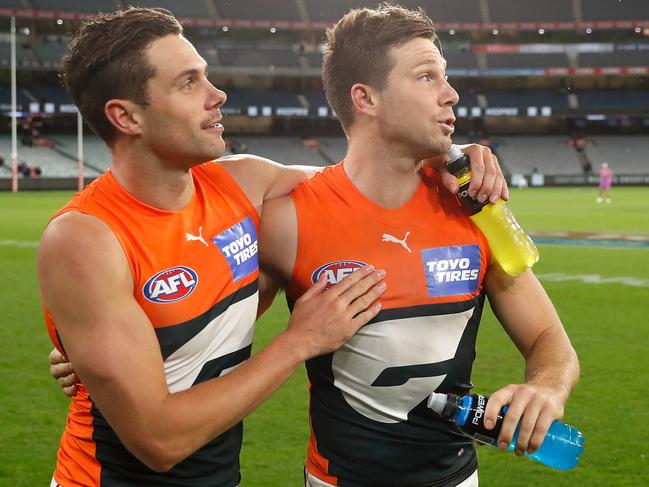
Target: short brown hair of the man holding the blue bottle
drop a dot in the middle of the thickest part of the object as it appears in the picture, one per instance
(356, 51)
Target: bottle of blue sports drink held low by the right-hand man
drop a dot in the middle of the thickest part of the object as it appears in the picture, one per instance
(560, 449)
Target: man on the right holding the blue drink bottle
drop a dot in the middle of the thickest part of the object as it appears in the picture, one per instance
(385, 77)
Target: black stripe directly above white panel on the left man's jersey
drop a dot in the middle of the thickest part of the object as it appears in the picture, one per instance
(173, 337)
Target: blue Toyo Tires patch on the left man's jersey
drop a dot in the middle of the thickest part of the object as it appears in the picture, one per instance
(238, 244)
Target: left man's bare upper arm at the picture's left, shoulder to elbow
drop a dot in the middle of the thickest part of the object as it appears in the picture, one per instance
(107, 336)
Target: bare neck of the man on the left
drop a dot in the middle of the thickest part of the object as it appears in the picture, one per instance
(163, 186)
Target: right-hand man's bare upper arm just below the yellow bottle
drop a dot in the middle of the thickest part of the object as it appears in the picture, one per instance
(522, 307)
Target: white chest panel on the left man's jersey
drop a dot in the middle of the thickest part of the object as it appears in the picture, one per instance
(229, 332)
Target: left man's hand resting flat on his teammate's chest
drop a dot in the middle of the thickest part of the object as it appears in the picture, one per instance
(324, 319)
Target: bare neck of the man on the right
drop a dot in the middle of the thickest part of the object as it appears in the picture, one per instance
(384, 174)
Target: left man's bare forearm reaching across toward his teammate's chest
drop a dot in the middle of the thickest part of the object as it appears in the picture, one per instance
(183, 422)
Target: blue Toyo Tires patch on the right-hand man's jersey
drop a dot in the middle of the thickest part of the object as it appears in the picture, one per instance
(451, 270)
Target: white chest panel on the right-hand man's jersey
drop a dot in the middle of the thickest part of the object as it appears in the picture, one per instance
(421, 342)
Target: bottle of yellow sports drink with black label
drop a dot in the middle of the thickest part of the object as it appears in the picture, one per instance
(511, 247)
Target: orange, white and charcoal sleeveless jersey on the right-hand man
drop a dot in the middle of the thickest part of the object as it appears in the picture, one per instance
(368, 415)
